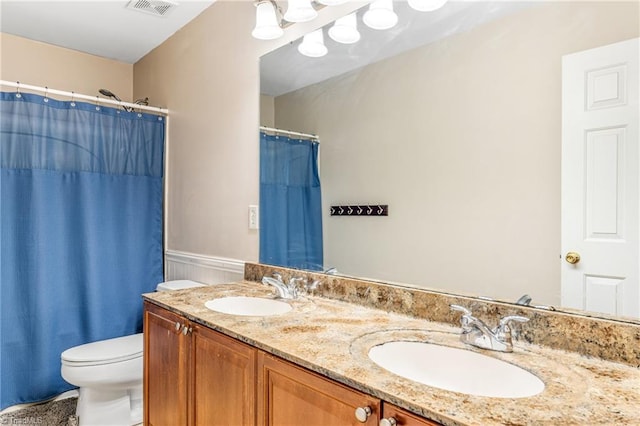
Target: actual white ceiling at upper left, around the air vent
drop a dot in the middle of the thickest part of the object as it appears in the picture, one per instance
(103, 28)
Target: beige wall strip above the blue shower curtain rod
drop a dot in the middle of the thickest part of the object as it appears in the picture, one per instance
(40, 64)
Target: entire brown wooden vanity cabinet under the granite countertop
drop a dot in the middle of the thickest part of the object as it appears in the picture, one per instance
(196, 376)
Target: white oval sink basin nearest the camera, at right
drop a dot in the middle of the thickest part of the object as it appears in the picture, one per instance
(456, 370)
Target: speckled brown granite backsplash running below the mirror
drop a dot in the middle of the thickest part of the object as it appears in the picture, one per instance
(614, 340)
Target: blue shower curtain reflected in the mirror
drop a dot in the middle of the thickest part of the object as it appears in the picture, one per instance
(290, 203)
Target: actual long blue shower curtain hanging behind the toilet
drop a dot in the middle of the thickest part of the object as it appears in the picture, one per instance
(81, 226)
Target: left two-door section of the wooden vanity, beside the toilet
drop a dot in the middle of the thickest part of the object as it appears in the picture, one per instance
(194, 375)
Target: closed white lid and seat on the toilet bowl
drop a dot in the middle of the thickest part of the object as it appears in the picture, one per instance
(105, 351)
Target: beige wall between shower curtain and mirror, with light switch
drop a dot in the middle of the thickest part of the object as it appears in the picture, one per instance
(207, 75)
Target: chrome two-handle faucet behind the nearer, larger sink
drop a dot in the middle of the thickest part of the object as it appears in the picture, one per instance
(475, 332)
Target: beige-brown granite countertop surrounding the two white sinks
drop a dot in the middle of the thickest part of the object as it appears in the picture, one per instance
(333, 339)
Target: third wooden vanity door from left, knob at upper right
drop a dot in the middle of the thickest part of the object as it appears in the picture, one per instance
(291, 396)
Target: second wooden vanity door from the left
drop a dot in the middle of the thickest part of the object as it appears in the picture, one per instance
(224, 391)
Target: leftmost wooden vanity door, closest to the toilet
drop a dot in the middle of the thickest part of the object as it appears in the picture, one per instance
(165, 367)
